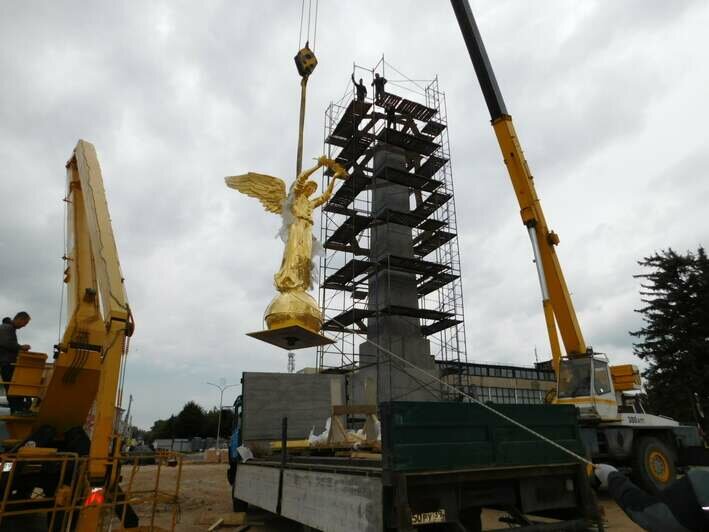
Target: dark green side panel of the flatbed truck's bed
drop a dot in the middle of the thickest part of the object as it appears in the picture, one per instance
(421, 436)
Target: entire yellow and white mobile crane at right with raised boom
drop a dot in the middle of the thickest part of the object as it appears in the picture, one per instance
(618, 429)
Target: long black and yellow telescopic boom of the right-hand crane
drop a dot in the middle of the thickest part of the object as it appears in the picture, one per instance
(558, 308)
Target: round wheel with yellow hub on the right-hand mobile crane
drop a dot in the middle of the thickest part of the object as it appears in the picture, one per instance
(654, 464)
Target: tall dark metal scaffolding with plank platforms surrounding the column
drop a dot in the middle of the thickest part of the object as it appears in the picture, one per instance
(410, 116)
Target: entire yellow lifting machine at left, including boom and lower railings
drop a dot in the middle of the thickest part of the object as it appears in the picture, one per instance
(70, 445)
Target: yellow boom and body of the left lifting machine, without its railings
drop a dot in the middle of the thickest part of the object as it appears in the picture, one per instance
(81, 388)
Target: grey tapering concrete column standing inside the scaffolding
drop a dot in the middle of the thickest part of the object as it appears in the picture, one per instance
(400, 334)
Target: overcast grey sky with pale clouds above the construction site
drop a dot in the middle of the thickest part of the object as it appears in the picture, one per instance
(609, 99)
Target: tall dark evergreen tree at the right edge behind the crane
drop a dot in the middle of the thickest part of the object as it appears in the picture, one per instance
(674, 339)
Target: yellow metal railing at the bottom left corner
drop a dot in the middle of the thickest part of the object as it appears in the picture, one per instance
(57, 486)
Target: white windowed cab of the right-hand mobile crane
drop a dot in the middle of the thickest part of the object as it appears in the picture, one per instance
(587, 383)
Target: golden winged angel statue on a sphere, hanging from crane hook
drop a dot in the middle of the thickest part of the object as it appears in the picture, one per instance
(293, 306)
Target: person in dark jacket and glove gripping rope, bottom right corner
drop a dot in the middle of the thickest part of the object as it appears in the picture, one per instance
(682, 506)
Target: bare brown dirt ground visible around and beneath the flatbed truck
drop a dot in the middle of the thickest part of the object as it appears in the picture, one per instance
(205, 496)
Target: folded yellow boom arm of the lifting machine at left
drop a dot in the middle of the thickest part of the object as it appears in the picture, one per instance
(99, 316)
